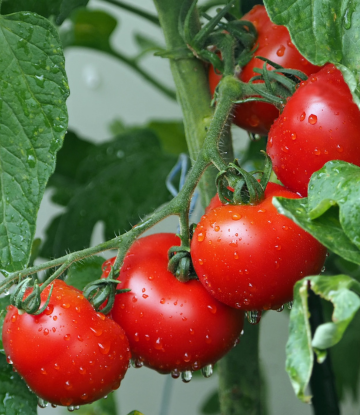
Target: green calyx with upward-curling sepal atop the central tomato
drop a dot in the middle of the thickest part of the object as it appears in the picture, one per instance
(239, 187)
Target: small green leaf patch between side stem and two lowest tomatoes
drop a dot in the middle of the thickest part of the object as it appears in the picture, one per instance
(82, 273)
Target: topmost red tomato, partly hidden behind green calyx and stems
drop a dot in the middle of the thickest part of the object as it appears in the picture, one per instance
(275, 44)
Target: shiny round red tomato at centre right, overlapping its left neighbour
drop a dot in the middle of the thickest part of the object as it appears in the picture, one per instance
(249, 256)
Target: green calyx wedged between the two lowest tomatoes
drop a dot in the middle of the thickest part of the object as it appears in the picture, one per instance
(101, 293)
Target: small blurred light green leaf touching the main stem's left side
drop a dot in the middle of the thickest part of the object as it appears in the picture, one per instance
(171, 135)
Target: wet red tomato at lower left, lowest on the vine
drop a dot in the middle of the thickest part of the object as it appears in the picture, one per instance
(69, 354)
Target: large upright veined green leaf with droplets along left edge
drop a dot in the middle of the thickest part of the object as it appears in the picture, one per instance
(33, 121)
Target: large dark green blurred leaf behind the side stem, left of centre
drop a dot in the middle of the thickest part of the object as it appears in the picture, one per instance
(120, 181)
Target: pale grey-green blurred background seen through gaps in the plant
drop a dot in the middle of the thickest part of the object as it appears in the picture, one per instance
(106, 95)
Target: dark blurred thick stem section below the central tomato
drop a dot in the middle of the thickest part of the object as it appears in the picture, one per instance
(240, 388)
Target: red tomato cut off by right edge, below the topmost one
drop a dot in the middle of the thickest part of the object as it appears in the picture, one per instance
(319, 123)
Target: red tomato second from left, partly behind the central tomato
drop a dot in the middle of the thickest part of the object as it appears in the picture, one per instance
(171, 326)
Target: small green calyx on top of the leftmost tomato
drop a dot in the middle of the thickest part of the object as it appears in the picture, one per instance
(31, 303)
